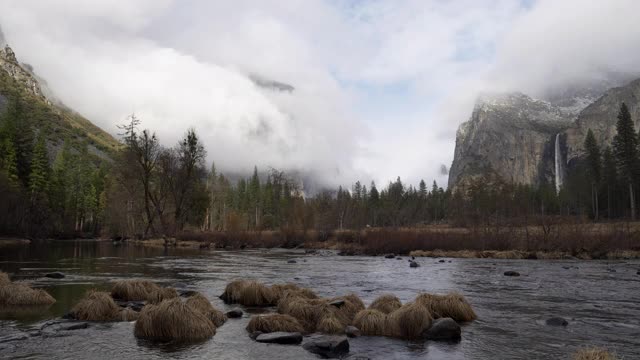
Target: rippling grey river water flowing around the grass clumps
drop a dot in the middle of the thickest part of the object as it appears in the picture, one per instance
(601, 301)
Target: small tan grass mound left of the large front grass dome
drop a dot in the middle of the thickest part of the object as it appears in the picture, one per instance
(97, 306)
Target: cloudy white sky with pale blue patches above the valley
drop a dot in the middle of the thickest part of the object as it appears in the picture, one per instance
(380, 86)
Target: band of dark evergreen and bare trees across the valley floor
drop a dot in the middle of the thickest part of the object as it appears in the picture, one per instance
(147, 190)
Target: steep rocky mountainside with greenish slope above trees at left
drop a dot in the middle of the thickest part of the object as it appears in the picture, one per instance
(19, 82)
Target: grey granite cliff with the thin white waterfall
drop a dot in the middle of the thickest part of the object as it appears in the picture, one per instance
(529, 141)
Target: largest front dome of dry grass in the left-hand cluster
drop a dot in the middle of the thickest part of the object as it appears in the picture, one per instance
(173, 320)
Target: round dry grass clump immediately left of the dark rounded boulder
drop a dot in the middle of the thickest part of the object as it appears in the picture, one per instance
(409, 321)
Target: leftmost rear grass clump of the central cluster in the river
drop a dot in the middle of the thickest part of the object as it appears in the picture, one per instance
(249, 293)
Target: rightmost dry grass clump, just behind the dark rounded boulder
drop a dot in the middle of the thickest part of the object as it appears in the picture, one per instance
(452, 305)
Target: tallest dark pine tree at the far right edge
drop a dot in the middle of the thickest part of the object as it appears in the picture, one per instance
(625, 149)
